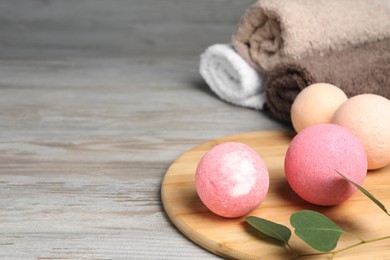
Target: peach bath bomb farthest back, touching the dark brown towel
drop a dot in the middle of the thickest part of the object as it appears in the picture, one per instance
(316, 104)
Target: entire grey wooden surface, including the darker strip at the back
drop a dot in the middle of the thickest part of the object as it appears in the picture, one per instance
(97, 98)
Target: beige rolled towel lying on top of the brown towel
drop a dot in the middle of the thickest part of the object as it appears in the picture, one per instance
(276, 31)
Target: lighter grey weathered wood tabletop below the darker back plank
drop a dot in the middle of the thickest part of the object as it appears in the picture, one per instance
(84, 144)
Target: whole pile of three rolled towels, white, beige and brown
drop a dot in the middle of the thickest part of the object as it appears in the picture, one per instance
(294, 43)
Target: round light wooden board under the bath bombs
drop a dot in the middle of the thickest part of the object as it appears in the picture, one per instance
(234, 238)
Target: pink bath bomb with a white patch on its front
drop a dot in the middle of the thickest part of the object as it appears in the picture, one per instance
(231, 179)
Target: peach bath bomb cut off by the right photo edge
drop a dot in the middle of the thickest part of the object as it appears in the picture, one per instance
(368, 117)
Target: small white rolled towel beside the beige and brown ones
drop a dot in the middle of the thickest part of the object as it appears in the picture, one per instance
(231, 78)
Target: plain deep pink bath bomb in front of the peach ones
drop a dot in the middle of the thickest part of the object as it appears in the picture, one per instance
(313, 157)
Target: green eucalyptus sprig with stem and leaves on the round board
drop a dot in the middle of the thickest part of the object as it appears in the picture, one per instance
(314, 228)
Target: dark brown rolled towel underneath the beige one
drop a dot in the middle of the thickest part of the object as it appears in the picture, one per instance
(358, 70)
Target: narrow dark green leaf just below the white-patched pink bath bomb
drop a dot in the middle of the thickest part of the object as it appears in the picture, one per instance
(269, 228)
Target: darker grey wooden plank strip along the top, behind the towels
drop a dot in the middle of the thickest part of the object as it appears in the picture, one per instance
(115, 28)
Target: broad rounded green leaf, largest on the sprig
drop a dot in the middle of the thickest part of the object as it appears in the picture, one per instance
(316, 230)
